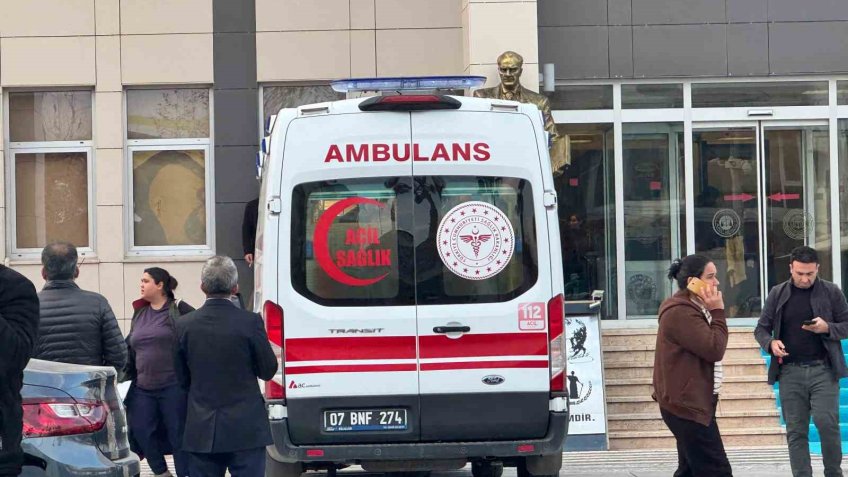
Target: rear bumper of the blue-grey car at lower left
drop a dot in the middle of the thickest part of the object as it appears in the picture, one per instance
(73, 456)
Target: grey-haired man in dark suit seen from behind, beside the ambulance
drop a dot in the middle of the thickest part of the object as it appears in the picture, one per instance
(222, 350)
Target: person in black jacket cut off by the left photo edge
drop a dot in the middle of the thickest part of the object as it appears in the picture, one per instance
(18, 332)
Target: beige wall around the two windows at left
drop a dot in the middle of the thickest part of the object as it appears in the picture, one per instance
(106, 45)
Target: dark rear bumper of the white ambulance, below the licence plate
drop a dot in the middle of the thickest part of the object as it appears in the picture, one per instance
(283, 450)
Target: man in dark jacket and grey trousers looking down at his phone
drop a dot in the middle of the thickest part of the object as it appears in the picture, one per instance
(801, 326)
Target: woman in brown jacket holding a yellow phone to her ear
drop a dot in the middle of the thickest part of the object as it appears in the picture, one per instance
(691, 341)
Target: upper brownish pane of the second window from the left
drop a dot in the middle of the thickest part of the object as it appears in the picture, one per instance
(167, 113)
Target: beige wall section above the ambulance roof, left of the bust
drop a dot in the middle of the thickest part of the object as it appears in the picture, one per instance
(299, 40)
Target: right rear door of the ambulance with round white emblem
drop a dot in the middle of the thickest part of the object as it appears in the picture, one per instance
(482, 276)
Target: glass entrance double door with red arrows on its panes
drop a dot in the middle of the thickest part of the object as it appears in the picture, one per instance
(761, 189)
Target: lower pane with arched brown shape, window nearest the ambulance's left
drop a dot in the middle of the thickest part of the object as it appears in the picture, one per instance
(169, 197)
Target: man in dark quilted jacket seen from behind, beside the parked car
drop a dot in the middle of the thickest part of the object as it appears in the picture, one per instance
(77, 326)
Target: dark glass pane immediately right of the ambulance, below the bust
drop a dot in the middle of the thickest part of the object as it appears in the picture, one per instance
(586, 198)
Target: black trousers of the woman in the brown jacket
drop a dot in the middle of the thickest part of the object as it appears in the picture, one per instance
(700, 451)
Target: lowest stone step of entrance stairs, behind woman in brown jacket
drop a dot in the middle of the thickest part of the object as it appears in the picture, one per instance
(765, 436)
